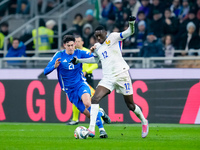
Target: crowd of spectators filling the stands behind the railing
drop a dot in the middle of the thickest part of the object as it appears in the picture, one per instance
(161, 27)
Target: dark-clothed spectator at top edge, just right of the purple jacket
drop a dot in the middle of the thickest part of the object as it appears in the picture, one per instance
(157, 5)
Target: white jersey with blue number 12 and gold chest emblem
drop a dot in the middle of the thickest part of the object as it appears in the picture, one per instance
(111, 56)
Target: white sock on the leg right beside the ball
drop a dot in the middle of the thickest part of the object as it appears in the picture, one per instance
(93, 116)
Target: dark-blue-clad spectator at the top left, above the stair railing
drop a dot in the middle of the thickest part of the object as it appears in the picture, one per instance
(23, 6)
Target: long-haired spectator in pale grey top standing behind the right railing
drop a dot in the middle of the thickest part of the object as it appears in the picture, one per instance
(169, 49)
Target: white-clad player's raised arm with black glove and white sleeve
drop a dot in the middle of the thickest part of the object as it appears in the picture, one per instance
(131, 29)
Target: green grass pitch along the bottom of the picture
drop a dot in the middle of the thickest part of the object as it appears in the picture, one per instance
(37, 136)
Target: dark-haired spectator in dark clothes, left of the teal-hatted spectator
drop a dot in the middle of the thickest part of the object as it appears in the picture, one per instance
(78, 23)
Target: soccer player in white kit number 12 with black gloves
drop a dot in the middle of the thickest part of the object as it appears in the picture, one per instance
(115, 73)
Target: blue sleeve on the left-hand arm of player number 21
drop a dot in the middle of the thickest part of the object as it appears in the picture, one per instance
(50, 67)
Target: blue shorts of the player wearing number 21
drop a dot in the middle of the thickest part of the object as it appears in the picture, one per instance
(75, 95)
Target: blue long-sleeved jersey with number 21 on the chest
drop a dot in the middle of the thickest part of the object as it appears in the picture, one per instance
(69, 75)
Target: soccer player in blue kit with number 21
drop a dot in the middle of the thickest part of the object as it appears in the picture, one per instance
(72, 81)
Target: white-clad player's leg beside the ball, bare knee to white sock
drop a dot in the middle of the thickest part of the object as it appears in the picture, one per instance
(98, 95)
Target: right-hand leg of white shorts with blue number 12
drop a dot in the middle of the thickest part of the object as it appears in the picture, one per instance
(123, 84)
